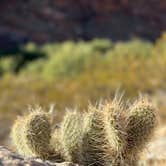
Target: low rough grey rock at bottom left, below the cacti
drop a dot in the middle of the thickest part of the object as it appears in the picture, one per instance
(8, 158)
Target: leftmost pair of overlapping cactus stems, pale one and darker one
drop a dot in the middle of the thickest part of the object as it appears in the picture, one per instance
(32, 134)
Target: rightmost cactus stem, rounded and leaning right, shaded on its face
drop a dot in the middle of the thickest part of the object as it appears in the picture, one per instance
(141, 122)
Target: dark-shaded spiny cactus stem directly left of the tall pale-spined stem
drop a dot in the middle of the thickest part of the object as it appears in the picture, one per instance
(93, 141)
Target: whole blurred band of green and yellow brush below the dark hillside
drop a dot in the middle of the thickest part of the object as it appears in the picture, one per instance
(71, 74)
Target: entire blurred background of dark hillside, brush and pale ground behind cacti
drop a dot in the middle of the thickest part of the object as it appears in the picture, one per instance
(68, 53)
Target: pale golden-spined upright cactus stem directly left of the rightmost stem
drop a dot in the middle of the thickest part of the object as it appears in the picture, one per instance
(115, 133)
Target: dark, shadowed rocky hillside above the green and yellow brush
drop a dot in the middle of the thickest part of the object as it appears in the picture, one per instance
(48, 20)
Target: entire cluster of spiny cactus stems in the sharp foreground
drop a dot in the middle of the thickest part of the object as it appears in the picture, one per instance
(109, 134)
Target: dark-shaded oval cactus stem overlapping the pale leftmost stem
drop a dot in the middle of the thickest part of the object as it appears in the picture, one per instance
(38, 133)
